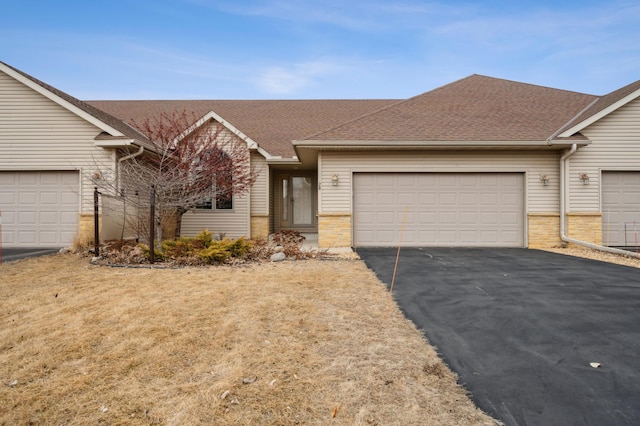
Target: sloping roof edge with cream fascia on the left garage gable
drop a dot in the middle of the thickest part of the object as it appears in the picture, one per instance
(113, 128)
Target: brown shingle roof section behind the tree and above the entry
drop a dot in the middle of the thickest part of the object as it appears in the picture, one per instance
(272, 124)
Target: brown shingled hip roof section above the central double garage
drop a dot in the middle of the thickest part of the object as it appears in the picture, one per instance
(476, 108)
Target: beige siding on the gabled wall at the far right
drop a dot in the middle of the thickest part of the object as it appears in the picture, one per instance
(615, 146)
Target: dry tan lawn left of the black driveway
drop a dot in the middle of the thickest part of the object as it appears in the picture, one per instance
(287, 343)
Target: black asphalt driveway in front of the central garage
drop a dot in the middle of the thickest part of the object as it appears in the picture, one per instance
(522, 327)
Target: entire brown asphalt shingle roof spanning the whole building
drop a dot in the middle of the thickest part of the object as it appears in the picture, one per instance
(475, 108)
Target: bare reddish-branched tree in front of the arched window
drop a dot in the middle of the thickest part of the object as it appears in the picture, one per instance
(196, 164)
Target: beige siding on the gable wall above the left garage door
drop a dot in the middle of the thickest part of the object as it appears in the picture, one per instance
(38, 134)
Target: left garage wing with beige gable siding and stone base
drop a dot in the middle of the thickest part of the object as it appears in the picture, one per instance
(51, 147)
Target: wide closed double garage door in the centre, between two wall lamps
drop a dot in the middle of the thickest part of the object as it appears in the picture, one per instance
(439, 209)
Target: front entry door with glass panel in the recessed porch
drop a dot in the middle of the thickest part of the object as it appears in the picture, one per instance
(297, 201)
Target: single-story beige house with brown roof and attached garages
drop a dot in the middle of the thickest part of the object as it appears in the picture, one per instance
(478, 162)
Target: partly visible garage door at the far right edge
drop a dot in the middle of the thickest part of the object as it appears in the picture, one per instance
(621, 208)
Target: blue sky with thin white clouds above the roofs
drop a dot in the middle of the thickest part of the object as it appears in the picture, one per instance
(298, 49)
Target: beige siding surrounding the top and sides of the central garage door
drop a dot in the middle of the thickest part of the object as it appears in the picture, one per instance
(538, 198)
